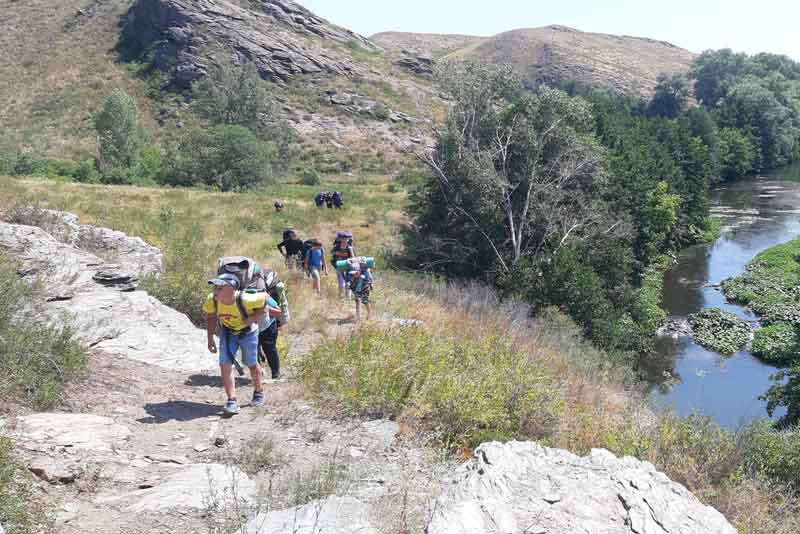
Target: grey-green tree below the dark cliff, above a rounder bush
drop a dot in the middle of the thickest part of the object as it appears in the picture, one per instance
(232, 94)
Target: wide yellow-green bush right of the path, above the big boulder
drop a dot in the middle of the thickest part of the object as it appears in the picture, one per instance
(467, 391)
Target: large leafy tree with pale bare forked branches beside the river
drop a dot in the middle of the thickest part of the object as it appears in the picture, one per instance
(512, 174)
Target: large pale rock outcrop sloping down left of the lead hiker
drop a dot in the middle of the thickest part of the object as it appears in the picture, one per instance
(108, 317)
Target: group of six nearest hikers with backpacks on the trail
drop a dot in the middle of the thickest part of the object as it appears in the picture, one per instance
(248, 305)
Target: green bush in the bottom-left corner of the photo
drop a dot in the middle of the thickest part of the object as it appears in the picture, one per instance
(14, 493)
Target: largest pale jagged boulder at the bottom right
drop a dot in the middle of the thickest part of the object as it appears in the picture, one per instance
(524, 487)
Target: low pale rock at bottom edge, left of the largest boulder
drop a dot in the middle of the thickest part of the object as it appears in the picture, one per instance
(334, 515)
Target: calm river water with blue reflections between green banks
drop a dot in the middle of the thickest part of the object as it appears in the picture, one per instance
(758, 213)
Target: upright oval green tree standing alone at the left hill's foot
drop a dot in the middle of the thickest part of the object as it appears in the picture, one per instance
(119, 131)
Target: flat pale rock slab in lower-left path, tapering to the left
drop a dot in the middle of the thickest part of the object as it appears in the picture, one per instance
(194, 487)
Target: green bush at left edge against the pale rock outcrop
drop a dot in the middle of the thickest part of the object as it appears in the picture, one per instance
(36, 359)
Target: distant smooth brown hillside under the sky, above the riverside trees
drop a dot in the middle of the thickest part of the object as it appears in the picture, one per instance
(557, 54)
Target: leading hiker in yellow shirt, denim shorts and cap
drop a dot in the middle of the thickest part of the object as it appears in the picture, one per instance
(235, 316)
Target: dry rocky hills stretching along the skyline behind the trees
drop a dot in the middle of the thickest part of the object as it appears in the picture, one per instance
(357, 104)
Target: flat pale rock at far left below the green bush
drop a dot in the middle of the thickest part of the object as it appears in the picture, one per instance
(77, 431)
